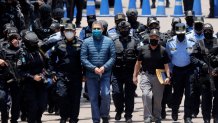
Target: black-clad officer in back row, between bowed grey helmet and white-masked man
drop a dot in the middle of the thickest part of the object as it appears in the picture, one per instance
(41, 25)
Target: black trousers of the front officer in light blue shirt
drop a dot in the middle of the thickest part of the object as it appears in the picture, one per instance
(183, 79)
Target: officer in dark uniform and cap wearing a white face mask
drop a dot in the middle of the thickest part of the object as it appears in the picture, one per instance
(69, 74)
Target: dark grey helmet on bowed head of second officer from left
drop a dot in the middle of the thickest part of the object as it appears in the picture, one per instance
(31, 37)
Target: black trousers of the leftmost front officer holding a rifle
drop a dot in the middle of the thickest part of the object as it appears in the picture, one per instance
(15, 92)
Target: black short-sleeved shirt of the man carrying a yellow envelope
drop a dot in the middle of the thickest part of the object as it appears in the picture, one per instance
(153, 59)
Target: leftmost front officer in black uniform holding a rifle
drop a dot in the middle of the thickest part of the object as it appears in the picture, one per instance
(10, 49)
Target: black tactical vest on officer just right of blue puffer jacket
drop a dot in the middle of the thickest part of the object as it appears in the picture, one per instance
(125, 52)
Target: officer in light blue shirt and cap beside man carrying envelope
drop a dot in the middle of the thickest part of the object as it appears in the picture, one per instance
(179, 49)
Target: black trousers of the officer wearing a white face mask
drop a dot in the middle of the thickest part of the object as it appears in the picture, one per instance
(69, 101)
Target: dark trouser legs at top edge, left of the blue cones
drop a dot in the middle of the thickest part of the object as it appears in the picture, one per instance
(70, 9)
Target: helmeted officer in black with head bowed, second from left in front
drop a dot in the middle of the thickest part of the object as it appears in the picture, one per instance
(34, 72)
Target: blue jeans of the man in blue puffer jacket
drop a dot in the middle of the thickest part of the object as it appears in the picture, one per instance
(98, 86)
